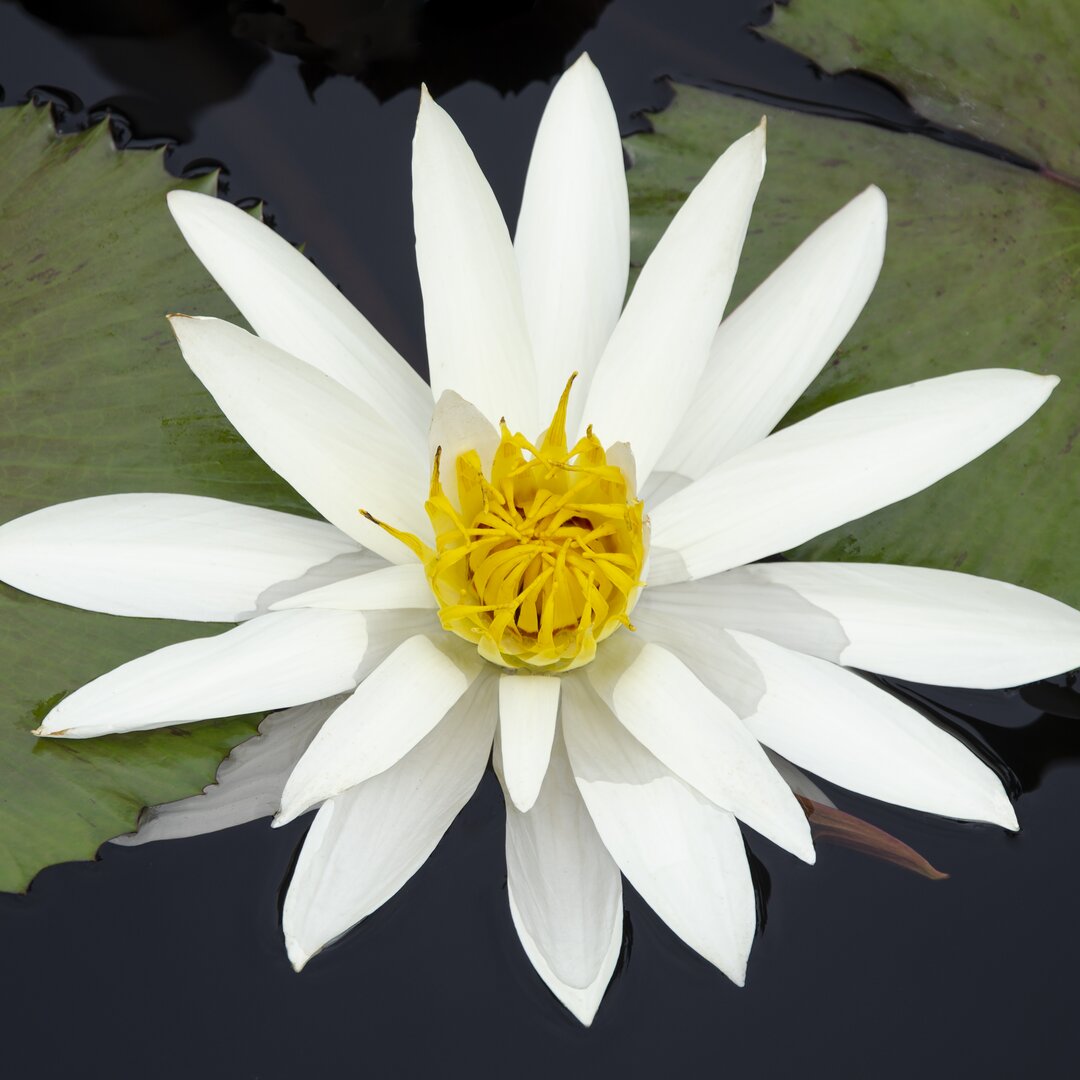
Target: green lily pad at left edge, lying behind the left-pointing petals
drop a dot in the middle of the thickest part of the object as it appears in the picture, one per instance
(96, 399)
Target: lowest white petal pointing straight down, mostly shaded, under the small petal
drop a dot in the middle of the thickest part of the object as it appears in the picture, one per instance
(565, 889)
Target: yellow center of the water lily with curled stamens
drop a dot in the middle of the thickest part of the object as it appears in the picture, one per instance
(541, 561)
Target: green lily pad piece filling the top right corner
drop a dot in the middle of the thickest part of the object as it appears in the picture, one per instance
(1000, 70)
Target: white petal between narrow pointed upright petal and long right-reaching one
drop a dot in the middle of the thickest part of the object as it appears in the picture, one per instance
(771, 348)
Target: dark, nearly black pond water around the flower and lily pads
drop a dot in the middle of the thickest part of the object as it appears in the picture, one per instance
(167, 962)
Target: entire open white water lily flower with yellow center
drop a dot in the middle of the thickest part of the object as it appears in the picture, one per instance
(492, 590)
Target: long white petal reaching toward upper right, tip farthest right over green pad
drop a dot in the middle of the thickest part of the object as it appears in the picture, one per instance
(840, 465)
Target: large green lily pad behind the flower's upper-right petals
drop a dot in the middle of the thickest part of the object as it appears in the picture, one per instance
(982, 271)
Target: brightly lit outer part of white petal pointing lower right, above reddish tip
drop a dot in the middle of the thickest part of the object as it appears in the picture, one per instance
(843, 728)
